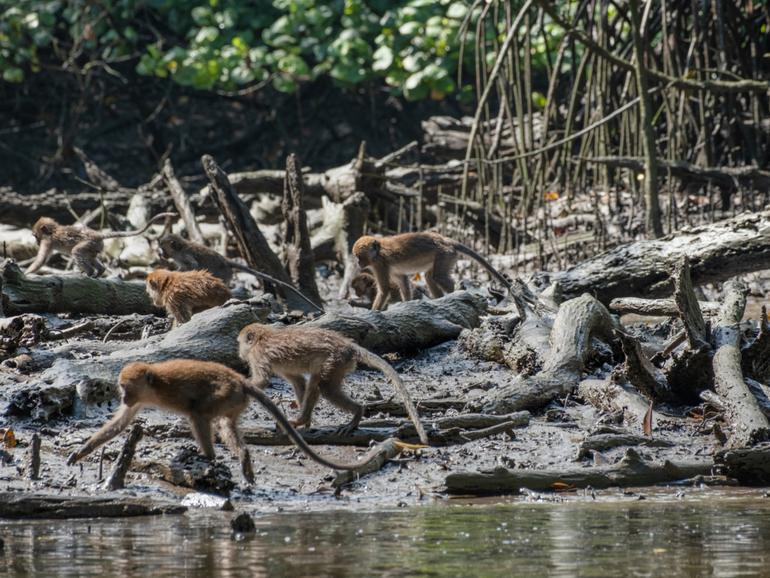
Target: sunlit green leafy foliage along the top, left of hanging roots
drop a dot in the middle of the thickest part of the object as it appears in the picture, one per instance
(412, 45)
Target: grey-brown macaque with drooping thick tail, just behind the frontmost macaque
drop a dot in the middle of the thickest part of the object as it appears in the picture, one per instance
(326, 356)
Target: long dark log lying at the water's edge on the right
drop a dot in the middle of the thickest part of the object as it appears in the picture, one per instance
(631, 471)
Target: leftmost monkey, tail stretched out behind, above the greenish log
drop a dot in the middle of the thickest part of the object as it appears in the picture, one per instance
(82, 243)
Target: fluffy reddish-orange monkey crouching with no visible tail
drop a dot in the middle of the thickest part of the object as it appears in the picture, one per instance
(182, 294)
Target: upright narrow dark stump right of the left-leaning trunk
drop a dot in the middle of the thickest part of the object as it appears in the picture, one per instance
(299, 255)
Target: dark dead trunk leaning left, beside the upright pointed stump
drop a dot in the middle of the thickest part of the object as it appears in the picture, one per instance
(252, 244)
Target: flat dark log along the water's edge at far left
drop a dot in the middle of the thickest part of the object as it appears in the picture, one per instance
(42, 506)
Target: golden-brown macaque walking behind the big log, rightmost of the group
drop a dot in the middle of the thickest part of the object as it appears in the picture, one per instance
(396, 257)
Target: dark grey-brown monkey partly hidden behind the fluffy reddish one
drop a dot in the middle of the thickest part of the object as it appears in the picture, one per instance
(190, 256)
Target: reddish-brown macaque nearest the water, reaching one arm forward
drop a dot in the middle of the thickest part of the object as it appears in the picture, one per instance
(203, 391)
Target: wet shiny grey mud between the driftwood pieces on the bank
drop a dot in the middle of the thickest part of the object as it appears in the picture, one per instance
(287, 480)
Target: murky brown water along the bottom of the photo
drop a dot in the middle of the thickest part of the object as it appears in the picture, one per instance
(706, 535)
